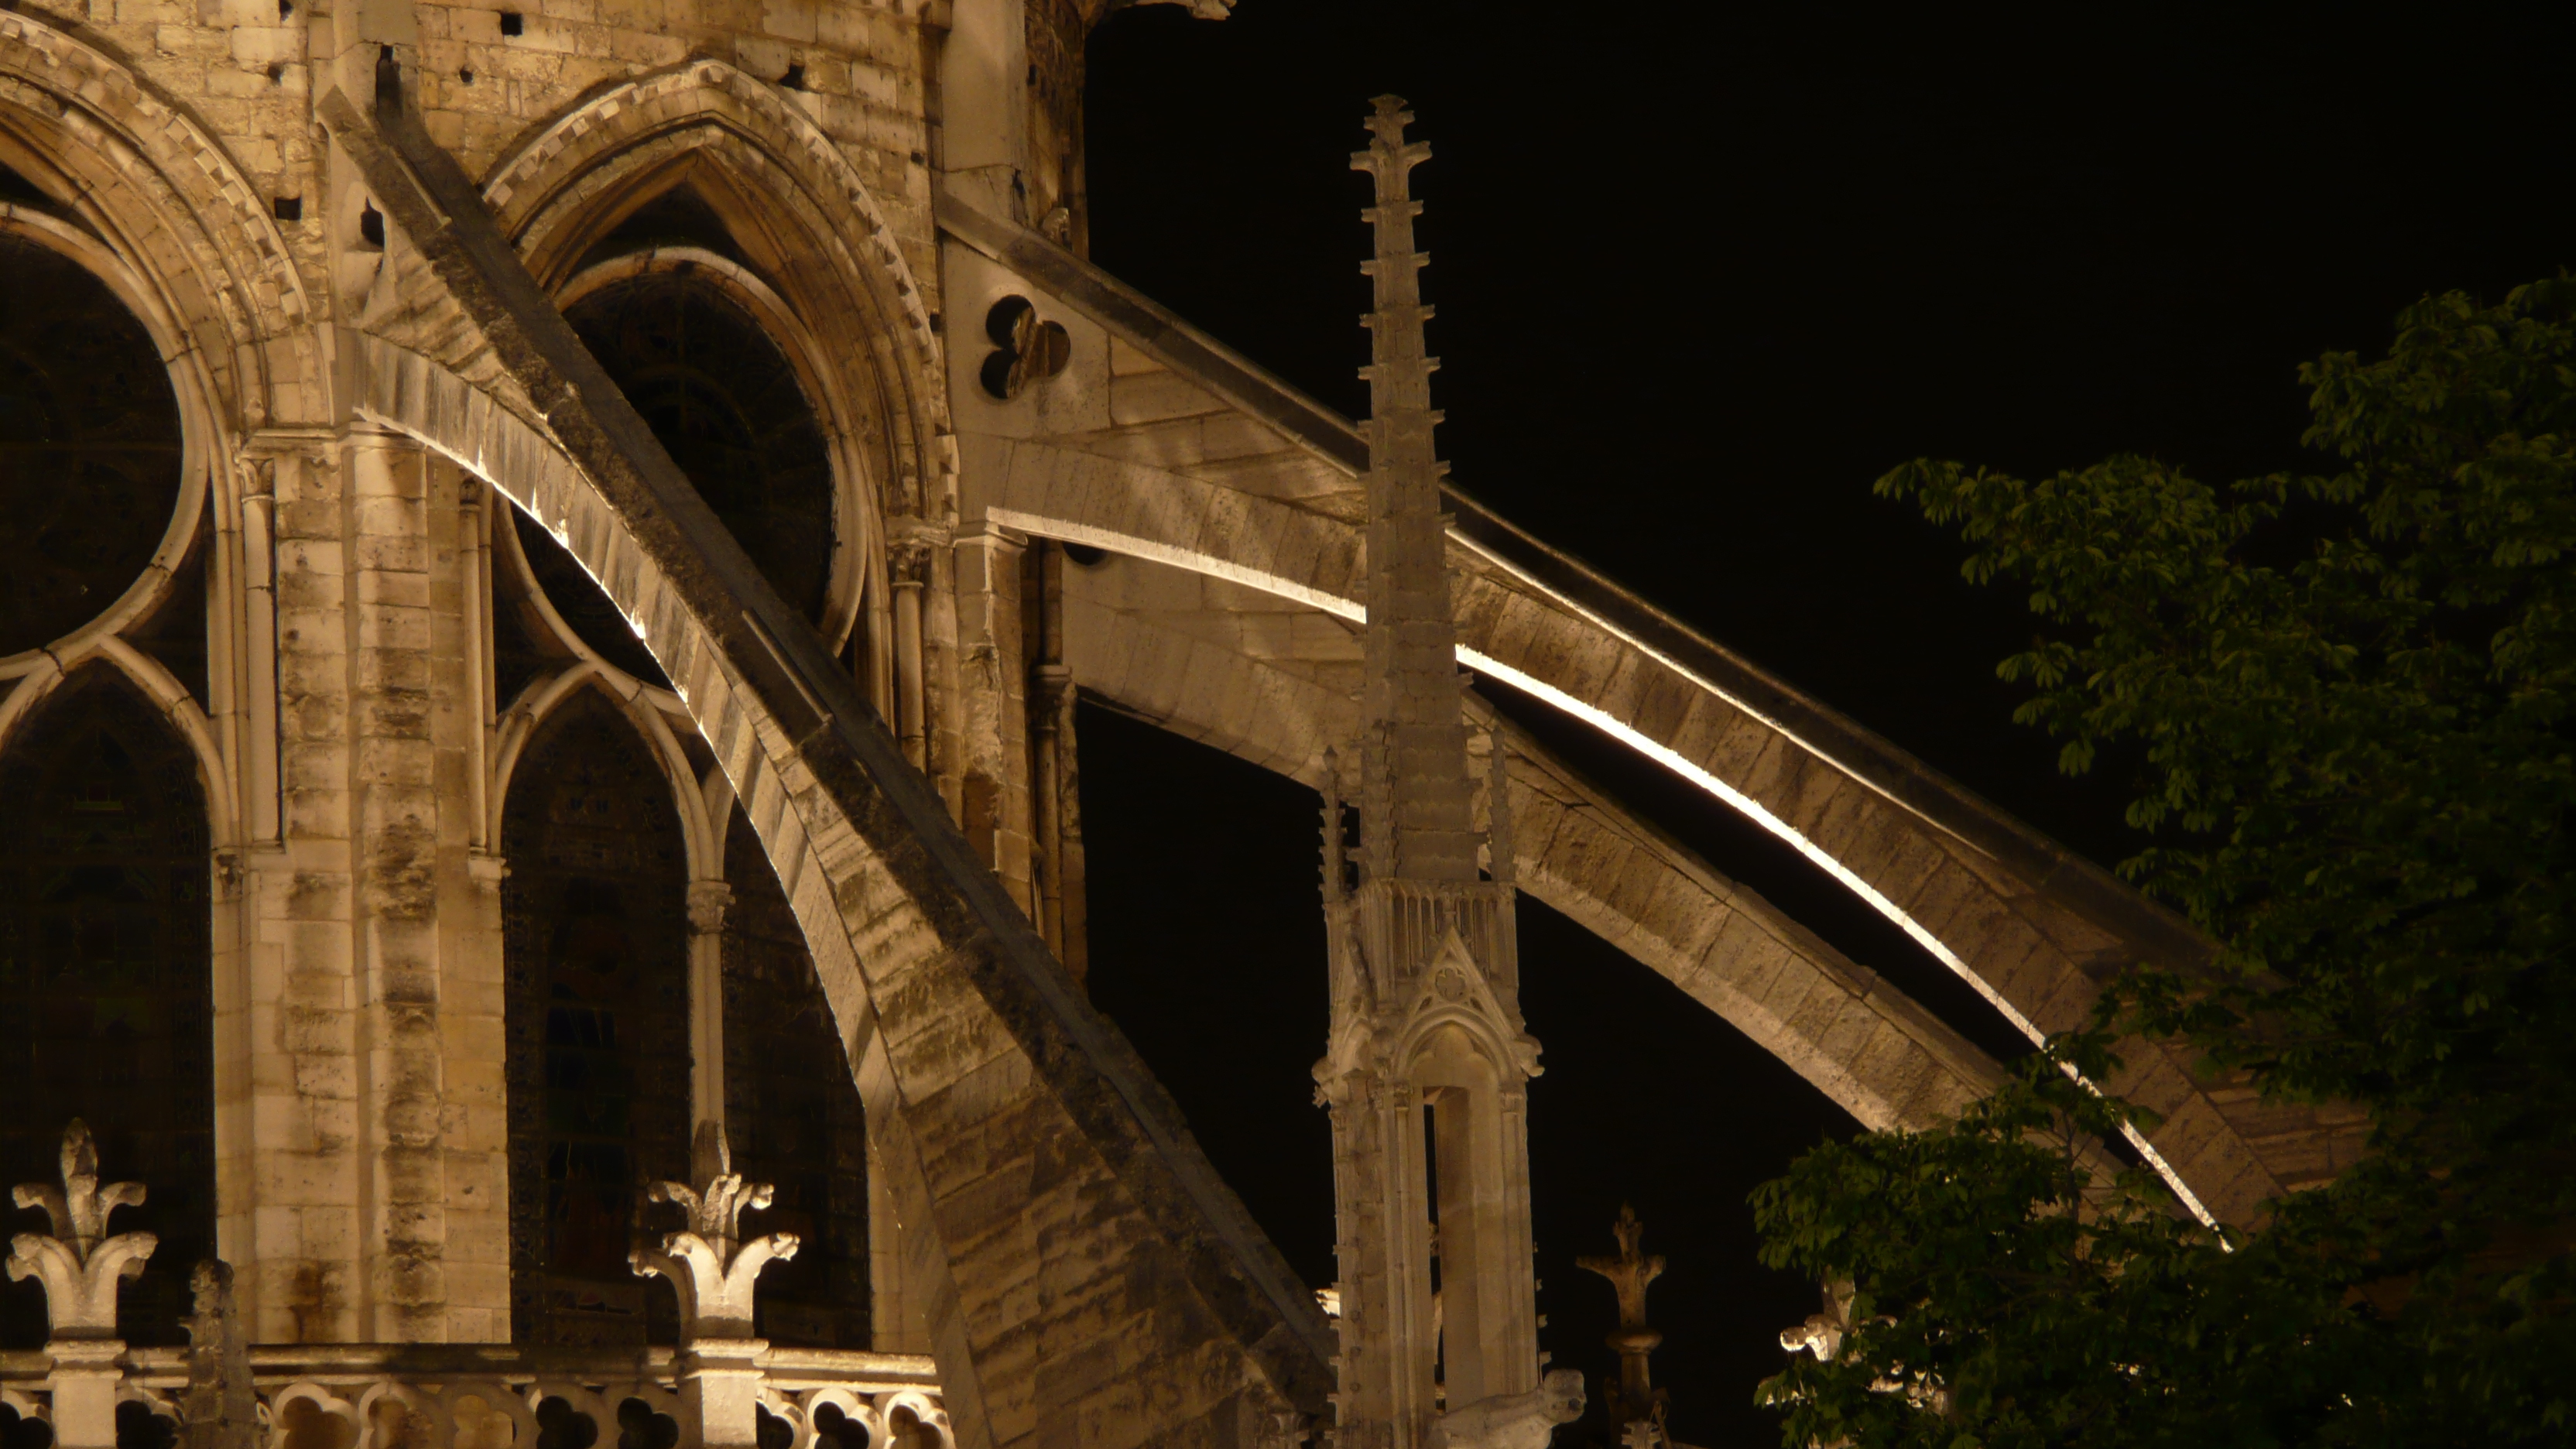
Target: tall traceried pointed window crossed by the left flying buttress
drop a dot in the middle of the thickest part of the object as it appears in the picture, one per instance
(707, 355)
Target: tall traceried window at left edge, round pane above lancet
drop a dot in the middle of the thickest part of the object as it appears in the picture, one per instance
(107, 937)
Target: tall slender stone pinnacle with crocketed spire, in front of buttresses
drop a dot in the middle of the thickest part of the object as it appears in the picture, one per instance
(1428, 1058)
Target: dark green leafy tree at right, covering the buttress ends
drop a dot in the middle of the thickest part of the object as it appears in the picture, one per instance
(2351, 697)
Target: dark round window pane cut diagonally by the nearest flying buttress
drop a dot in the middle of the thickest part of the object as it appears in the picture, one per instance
(728, 406)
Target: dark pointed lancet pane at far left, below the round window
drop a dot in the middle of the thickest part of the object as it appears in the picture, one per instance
(107, 984)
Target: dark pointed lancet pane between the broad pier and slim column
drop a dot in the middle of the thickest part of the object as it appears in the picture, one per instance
(596, 950)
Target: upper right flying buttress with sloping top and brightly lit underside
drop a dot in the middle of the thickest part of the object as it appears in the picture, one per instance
(1207, 463)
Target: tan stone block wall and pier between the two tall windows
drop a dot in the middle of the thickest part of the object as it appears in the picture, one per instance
(362, 1172)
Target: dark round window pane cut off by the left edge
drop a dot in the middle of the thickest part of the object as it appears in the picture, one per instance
(89, 447)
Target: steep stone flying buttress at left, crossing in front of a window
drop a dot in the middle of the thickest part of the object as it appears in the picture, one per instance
(1019, 1123)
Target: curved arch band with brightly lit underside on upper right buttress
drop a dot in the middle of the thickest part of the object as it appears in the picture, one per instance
(2018, 948)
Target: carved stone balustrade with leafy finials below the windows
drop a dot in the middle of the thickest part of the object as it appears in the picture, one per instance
(720, 1388)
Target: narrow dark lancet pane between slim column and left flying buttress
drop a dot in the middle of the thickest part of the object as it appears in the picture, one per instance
(792, 1113)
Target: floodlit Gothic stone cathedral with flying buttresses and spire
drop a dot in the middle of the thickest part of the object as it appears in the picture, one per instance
(547, 563)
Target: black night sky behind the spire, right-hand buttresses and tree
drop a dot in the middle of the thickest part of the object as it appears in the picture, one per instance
(1701, 280)
